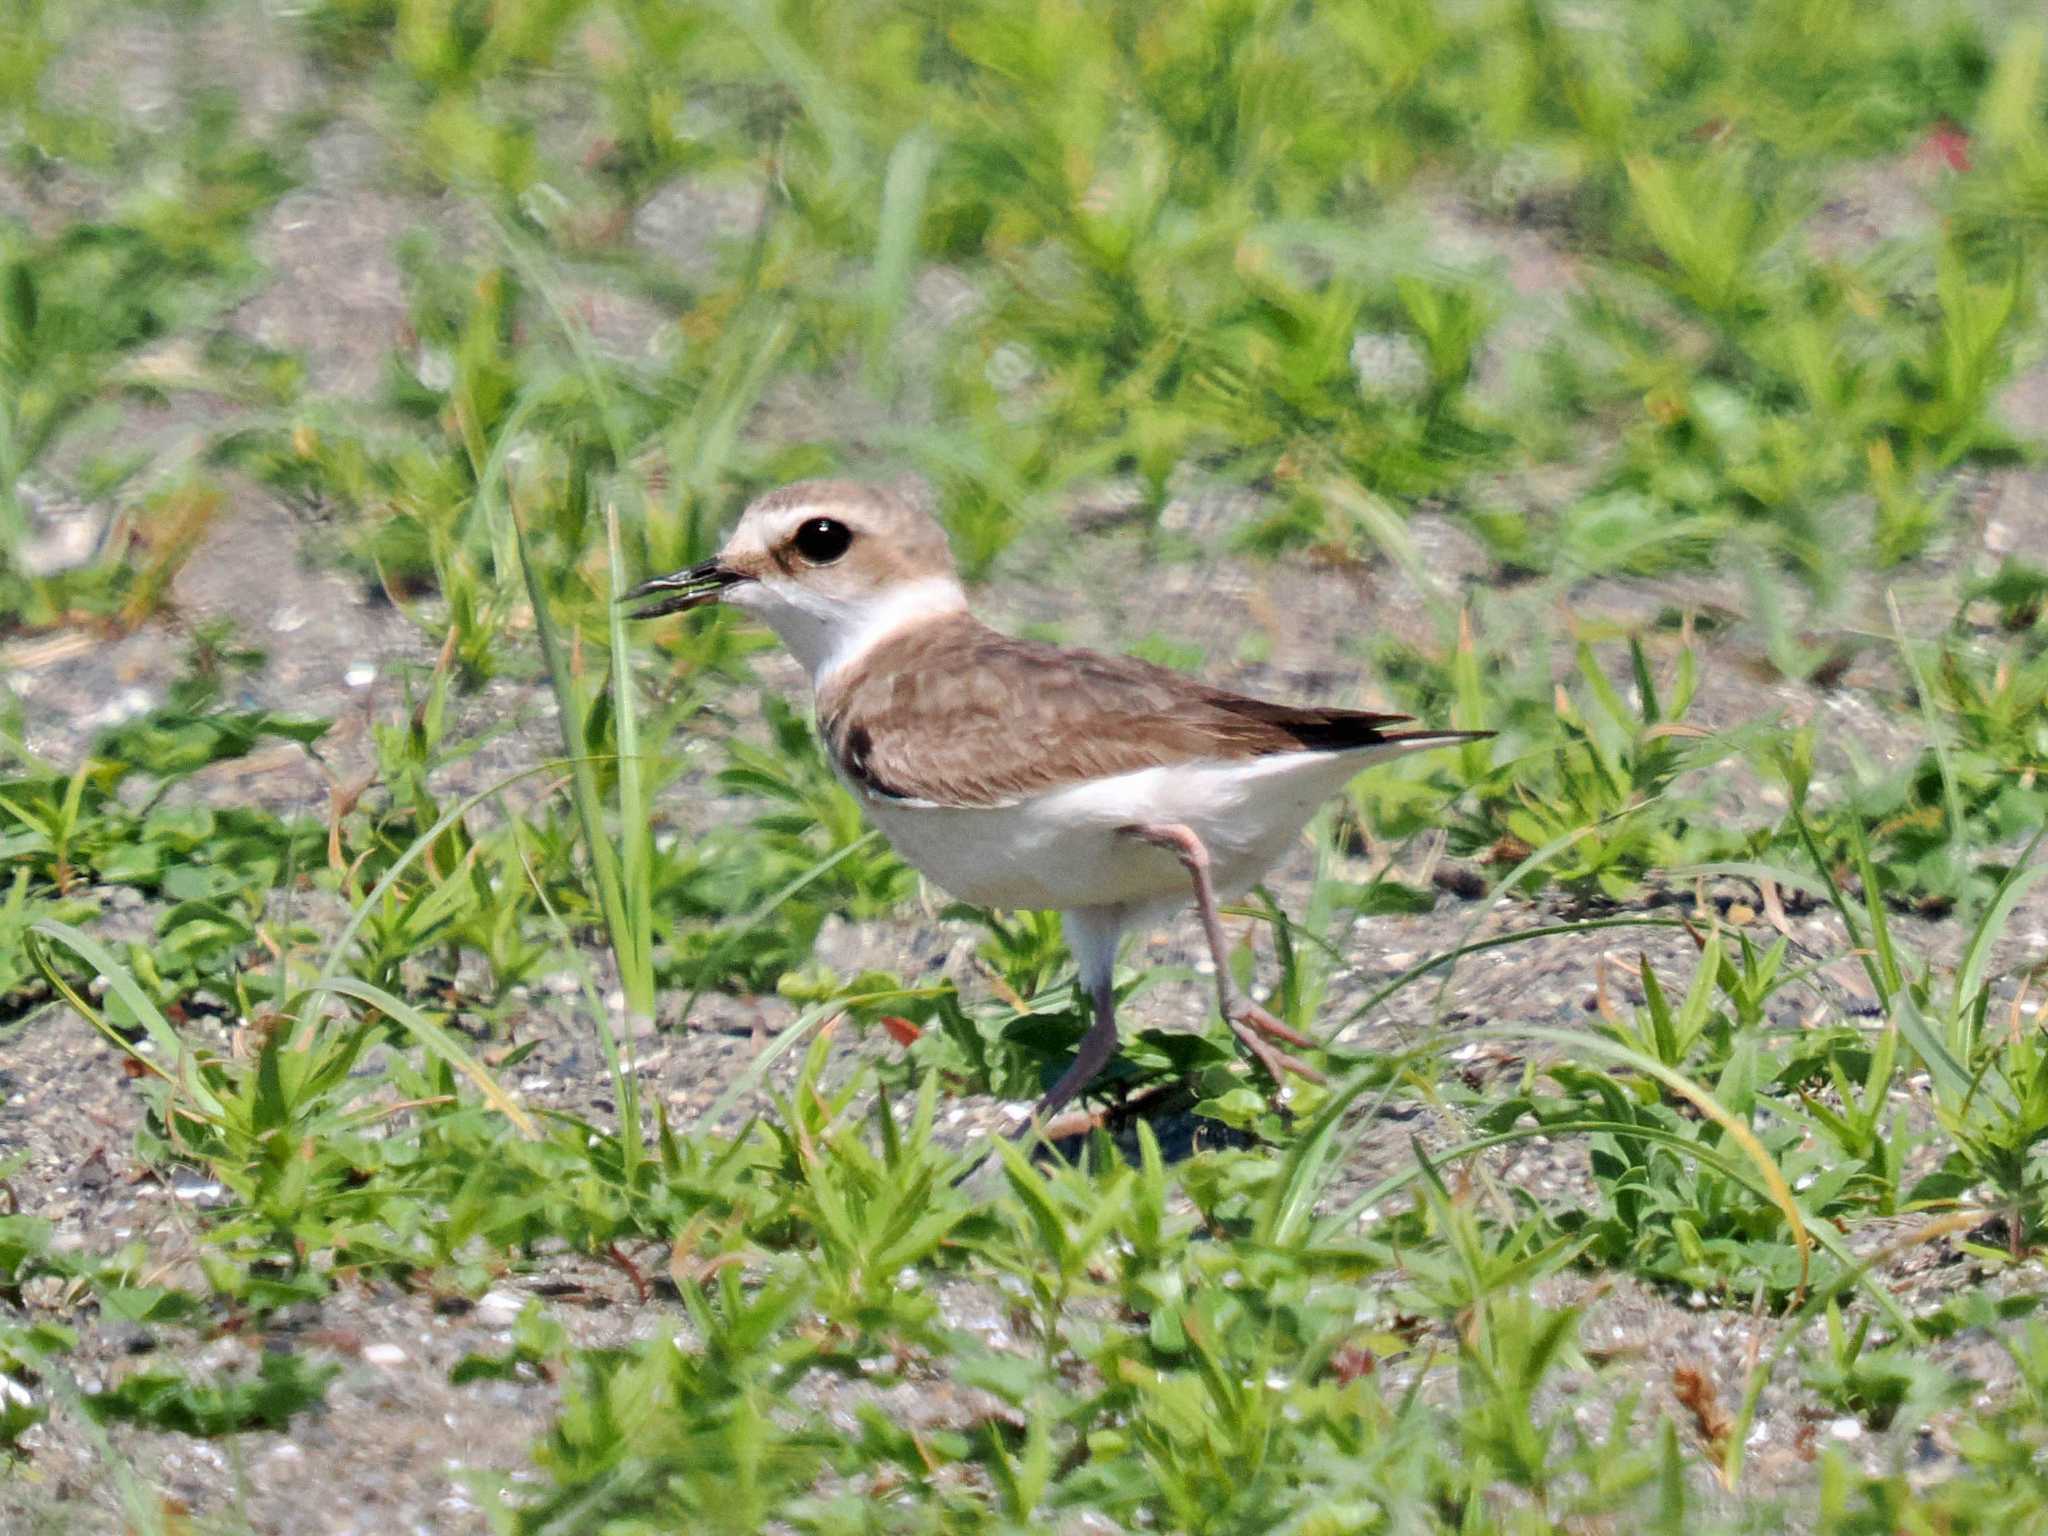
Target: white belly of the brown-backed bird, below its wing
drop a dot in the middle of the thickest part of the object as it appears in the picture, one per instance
(1066, 851)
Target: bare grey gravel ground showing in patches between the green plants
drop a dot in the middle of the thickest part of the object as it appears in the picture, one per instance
(392, 1447)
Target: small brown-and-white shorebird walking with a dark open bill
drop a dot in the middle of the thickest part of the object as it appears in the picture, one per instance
(1023, 775)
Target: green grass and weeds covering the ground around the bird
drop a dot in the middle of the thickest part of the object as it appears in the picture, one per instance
(1592, 288)
